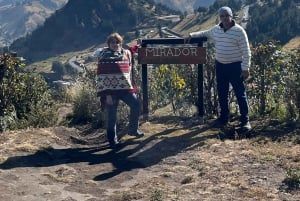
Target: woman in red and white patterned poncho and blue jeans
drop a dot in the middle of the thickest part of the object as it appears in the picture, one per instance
(115, 83)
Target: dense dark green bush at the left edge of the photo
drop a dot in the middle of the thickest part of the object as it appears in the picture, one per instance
(24, 97)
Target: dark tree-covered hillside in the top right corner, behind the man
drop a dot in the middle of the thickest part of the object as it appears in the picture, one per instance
(264, 25)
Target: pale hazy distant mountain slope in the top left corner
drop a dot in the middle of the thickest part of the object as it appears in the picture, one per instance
(18, 18)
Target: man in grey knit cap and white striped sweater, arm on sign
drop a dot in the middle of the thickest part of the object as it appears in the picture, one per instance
(233, 56)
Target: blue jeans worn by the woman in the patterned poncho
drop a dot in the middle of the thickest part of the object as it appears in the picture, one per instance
(132, 101)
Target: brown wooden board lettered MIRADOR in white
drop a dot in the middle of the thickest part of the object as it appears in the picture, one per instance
(172, 55)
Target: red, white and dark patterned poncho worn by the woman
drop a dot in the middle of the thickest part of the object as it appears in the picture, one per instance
(114, 73)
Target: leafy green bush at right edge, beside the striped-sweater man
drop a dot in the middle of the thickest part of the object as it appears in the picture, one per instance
(274, 88)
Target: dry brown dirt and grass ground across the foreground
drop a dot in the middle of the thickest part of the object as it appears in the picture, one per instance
(178, 159)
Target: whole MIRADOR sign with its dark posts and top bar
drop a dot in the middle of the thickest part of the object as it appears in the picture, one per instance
(168, 55)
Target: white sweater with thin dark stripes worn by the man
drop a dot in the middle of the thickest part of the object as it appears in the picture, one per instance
(230, 46)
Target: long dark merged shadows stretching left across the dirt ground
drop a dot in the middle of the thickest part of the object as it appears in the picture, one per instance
(131, 156)
